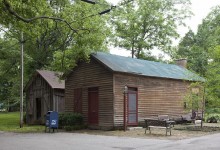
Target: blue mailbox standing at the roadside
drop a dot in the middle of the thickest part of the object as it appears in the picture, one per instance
(51, 120)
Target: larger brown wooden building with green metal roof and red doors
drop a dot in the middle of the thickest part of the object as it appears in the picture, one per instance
(96, 89)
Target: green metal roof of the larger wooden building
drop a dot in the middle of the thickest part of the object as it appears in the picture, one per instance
(146, 68)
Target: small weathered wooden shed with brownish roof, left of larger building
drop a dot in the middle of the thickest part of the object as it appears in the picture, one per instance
(44, 92)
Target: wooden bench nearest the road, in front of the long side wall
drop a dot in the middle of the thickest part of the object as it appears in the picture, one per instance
(154, 123)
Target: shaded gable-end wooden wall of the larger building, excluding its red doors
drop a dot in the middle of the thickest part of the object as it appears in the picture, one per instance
(87, 75)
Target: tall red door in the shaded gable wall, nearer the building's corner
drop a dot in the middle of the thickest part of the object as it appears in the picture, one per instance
(93, 103)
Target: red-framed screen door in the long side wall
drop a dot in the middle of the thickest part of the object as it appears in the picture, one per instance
(132, 108)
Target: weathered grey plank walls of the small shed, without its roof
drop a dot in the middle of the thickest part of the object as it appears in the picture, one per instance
(40, 89)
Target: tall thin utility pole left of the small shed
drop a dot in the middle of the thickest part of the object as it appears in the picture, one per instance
(22, 80)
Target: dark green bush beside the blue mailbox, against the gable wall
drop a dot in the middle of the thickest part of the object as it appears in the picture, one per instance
(71, 121)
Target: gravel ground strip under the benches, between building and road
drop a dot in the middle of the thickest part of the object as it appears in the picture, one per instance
(178, 132)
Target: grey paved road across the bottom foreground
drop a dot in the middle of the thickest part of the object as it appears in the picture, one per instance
(76, 141)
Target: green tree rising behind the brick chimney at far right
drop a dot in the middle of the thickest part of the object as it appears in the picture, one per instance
(195, 47)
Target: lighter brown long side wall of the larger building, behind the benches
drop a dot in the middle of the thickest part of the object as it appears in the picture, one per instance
(156, 96)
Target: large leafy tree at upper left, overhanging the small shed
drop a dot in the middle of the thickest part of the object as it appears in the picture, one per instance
(59, 32)
